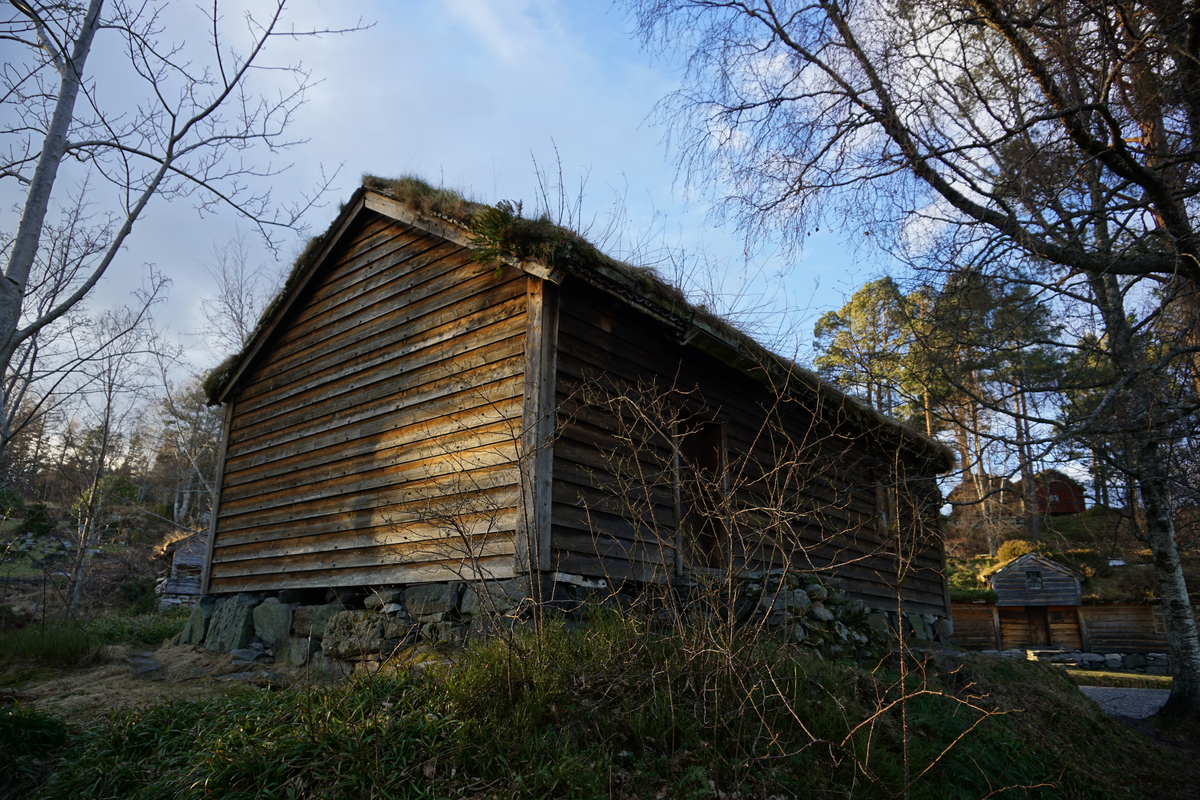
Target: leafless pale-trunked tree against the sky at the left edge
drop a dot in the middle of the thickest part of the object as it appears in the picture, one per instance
(181, 121)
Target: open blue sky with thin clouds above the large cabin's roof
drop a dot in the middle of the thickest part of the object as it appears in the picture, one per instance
(471, 94)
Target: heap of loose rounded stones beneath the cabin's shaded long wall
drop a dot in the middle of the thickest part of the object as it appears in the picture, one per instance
(813, 611)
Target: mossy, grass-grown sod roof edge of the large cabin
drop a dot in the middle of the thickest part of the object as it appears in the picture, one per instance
(502, 233)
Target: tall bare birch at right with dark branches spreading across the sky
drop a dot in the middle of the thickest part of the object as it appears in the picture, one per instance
(1051, 146)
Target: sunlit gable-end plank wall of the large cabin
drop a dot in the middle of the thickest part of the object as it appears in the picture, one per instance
(373, 440)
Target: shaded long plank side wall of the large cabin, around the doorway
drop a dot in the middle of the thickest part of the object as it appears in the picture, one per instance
(614, 504)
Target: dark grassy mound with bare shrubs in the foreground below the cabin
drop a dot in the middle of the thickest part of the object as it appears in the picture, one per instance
(619, 711)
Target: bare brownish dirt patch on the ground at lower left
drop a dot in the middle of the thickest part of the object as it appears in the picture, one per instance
(129, 677)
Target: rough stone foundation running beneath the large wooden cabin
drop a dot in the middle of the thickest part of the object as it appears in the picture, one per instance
(357, 628)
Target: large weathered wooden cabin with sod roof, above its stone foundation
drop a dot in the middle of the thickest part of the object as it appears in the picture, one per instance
(455, 393)
